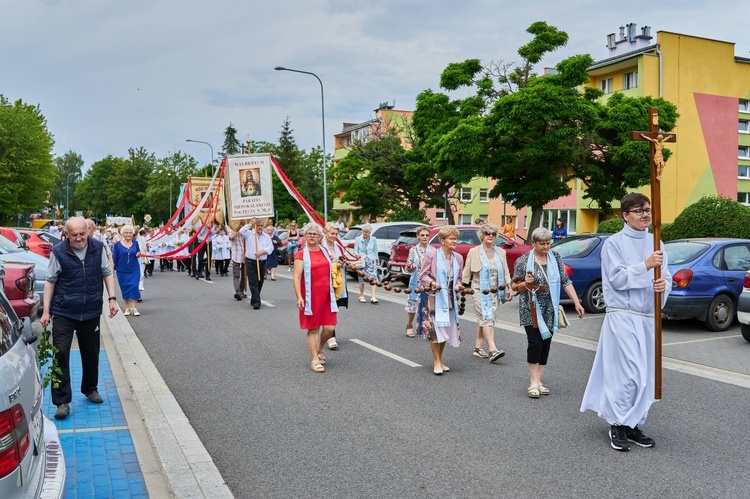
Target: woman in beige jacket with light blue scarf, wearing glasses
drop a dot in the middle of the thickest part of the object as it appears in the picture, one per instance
(487, 269)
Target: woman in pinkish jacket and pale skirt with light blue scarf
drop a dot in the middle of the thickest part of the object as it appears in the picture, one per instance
(440, 276)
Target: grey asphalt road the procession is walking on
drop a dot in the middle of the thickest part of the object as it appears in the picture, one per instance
(372, 426)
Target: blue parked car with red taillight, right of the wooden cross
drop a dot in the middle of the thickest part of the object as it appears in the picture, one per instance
(707, 277)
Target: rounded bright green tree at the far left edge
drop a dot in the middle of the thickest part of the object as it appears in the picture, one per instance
(27, 172)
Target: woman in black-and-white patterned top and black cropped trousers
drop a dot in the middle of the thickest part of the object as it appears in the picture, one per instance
(538, 277)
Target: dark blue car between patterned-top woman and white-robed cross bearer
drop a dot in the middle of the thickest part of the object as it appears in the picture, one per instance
(581, 255)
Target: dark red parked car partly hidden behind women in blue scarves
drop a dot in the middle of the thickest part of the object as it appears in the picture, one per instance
(467, 239)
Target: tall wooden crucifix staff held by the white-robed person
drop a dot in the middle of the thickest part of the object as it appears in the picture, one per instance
(657, 139)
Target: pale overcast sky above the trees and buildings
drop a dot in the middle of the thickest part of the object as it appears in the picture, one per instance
(110, 75)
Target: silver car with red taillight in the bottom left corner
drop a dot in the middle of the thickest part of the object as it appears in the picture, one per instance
(31, 458)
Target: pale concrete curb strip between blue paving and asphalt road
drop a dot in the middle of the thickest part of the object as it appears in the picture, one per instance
(186, 468)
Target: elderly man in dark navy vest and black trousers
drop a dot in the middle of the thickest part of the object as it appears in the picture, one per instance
(73, 297)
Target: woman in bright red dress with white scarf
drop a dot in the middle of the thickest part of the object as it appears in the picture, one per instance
(316, 299)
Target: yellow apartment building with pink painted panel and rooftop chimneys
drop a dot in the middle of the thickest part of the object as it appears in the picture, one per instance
(710, 86)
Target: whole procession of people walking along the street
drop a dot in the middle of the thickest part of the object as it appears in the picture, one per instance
(621, 385)
